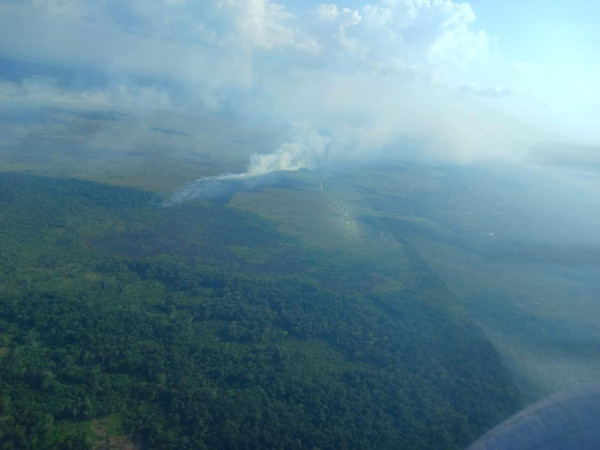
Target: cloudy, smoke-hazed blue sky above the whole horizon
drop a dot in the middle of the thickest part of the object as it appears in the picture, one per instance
(478, 81)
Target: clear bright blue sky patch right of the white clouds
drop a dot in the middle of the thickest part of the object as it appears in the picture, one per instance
(561, 38)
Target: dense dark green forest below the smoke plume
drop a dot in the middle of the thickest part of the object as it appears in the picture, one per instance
(127, 324)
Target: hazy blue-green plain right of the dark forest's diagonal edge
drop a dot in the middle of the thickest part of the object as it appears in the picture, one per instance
(518, 252)
